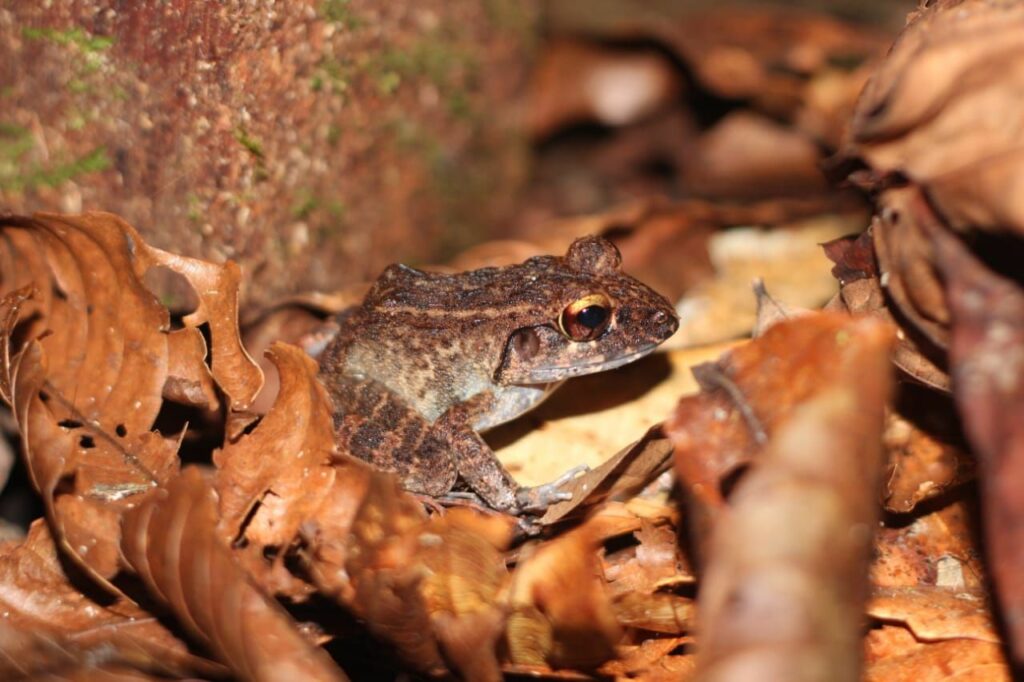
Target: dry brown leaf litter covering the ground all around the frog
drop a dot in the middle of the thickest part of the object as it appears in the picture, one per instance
(834, 472)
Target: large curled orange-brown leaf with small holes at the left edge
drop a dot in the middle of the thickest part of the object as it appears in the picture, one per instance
(87, 395)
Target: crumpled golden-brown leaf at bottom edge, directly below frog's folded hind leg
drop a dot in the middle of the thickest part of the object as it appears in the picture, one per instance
(430, 587)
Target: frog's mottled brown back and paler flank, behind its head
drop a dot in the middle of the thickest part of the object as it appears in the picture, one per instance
(436, 339)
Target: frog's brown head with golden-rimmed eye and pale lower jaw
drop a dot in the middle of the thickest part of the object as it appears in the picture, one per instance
(598, 319)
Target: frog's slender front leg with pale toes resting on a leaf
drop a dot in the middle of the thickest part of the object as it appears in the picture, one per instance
(481, 470)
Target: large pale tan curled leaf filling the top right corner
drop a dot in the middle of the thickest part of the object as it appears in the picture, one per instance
(919, 115)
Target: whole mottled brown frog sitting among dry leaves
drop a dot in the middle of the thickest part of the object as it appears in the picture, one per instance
(431, 361)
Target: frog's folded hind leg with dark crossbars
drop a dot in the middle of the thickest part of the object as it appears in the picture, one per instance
(375, 425)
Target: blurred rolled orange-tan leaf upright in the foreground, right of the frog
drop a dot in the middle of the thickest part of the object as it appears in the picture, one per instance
(794, 545)
